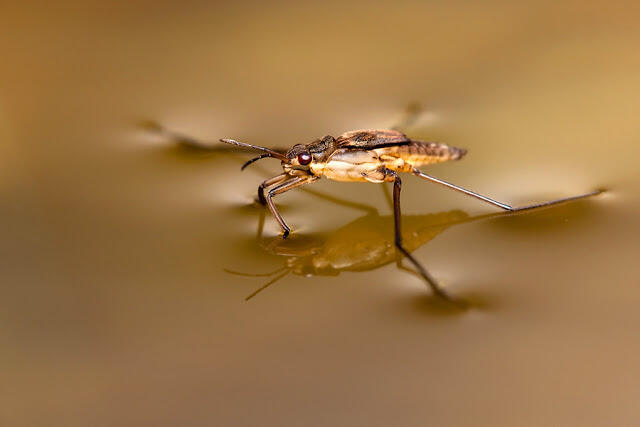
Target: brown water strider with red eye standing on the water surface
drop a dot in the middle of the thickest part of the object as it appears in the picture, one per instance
(365, 156)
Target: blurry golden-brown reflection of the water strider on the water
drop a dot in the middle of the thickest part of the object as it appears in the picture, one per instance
(362, 245)
